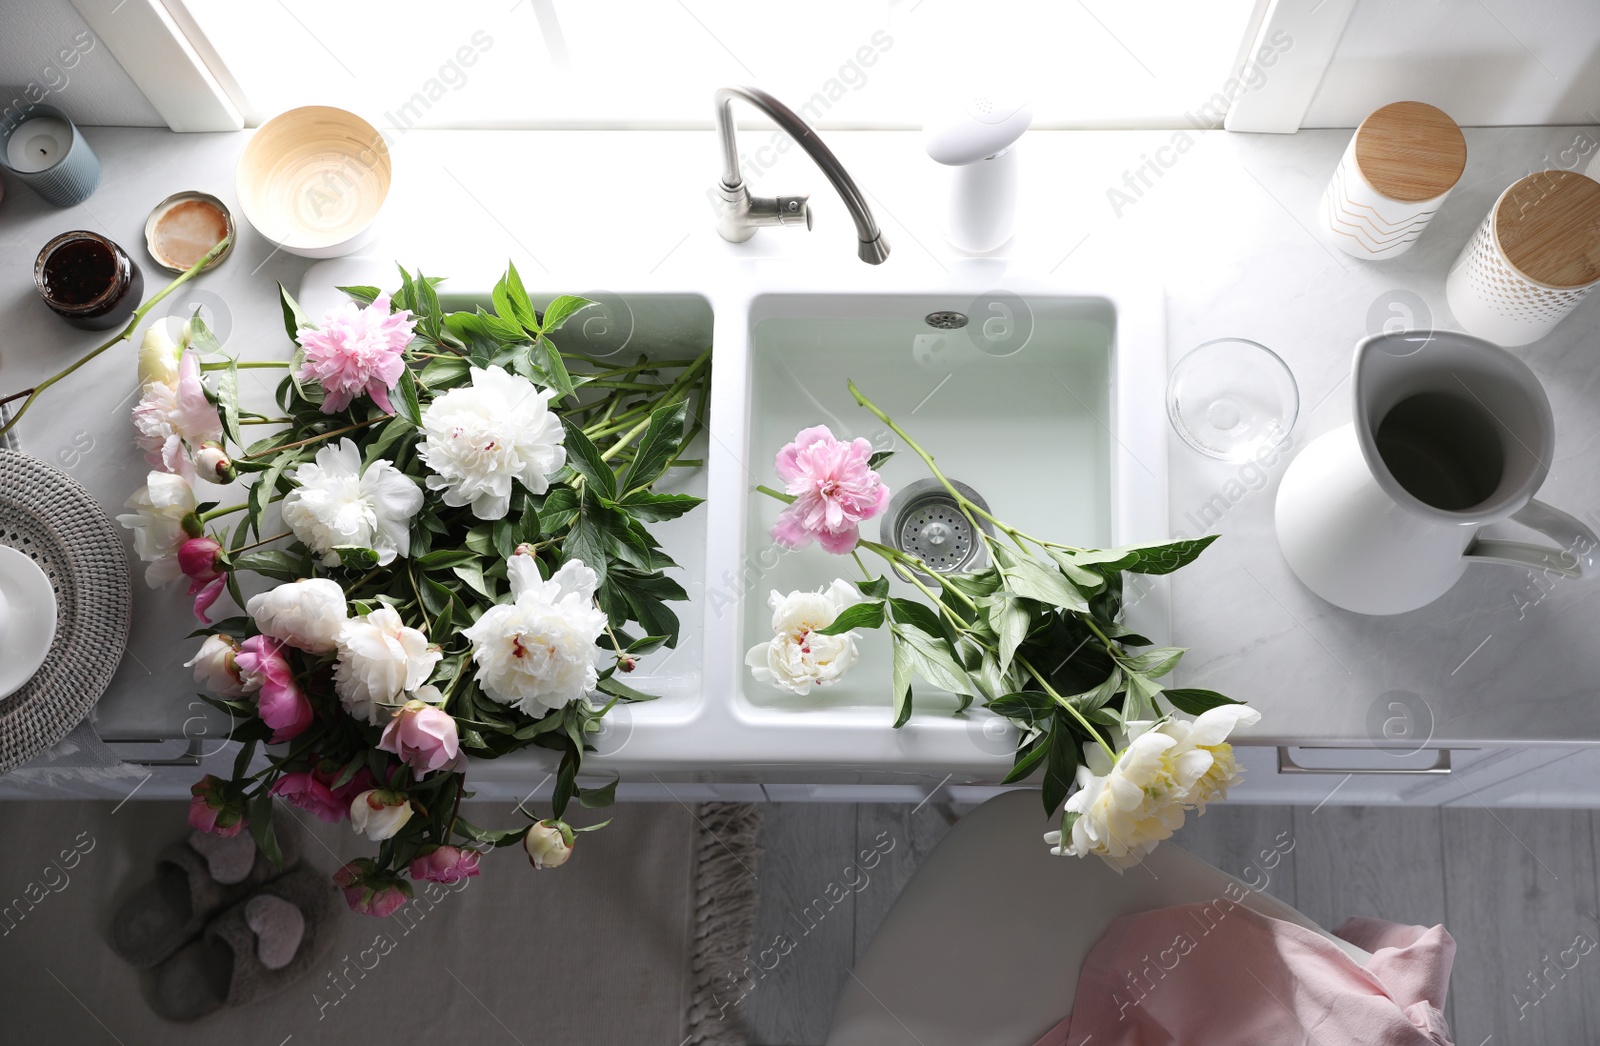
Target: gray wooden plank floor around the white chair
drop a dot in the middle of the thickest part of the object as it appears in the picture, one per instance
(1516, 888)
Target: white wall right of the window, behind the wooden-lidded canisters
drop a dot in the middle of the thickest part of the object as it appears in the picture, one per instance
(1486, 63)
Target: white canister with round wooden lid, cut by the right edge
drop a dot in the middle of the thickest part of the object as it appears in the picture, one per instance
(1532, 261)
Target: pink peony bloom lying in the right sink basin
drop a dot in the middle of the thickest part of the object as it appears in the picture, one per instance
(834, 492)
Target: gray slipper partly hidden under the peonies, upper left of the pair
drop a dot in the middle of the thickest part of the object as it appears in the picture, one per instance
(194, 880)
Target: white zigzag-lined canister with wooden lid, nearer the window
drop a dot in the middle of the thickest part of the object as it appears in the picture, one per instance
(1396, 174)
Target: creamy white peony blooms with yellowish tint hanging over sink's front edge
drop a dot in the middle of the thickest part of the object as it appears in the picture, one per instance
(1122, 810)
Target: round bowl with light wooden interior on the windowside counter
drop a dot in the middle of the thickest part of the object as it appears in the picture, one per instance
(313, 182)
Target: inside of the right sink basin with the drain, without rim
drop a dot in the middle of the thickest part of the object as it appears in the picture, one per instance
(1015, 417)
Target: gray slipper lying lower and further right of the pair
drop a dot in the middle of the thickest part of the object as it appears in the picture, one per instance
(255, 949)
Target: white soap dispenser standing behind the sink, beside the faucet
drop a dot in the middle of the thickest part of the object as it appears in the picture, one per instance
(978, 138)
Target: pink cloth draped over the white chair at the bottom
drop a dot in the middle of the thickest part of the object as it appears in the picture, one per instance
(1220, 975)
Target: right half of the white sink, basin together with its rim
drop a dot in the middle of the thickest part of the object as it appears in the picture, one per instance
(1047, 402)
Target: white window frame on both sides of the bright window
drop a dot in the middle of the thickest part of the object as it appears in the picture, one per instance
(188, 84)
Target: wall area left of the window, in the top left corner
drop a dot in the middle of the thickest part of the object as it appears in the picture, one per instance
(49, 54)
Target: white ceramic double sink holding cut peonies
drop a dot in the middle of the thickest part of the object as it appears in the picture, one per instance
(1049, 404)
